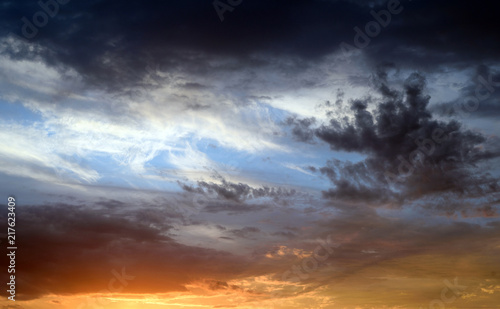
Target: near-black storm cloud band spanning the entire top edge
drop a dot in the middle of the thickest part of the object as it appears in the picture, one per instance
(114, 44)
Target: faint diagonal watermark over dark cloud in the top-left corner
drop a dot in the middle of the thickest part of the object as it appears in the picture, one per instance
(40, 19)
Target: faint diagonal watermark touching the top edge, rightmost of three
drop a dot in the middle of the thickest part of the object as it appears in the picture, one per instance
(372, 29)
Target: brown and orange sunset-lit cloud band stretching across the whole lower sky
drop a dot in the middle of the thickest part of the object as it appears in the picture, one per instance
(63, 242)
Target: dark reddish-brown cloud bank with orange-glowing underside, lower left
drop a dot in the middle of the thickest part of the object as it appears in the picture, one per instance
(70, 249)
